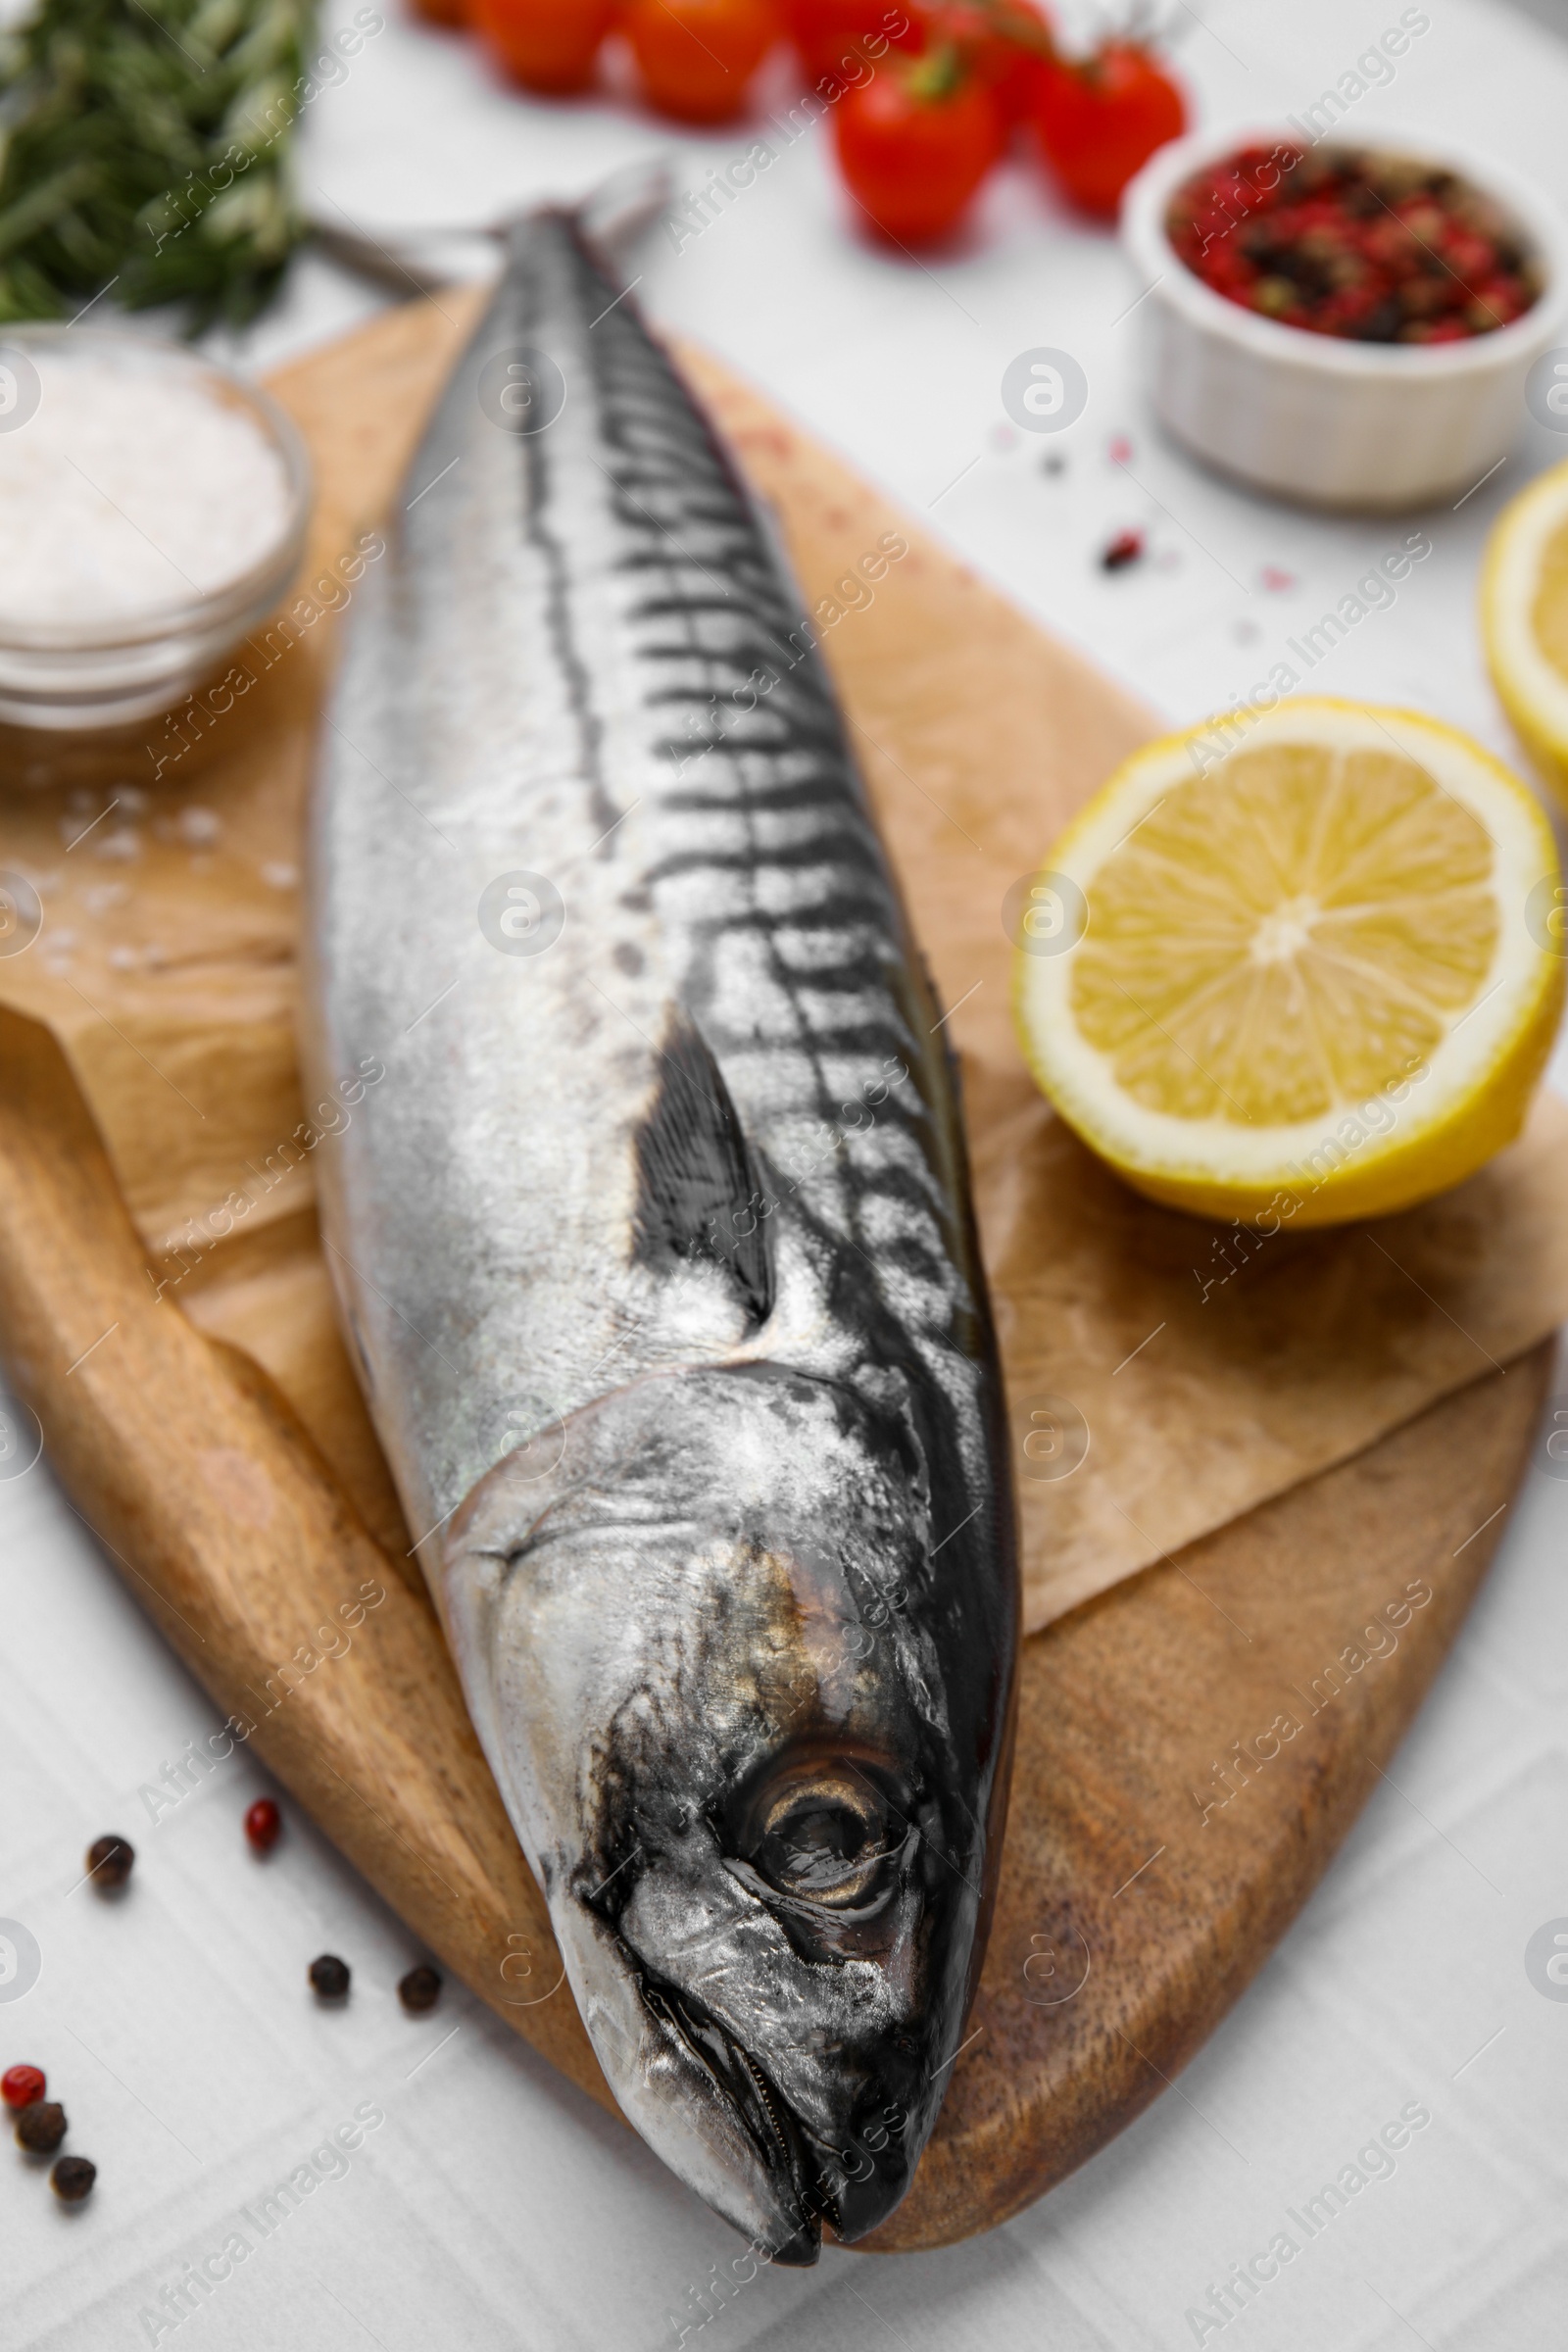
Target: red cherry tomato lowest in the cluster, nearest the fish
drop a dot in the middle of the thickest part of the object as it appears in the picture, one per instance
(916, 145)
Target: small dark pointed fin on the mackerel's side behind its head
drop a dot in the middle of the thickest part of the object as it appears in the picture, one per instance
(699, 1191)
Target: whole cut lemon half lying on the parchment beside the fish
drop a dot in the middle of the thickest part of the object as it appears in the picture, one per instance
(1296, 968)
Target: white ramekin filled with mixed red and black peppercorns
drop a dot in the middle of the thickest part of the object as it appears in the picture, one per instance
(1343, 326)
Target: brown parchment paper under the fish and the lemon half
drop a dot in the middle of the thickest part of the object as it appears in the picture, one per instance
(1162, 1377)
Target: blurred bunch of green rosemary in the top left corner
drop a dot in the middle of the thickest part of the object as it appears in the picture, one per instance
(145, 147)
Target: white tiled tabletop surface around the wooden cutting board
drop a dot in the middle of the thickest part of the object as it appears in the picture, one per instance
(495, 2207)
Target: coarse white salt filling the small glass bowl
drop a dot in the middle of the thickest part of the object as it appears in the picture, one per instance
(133, 488)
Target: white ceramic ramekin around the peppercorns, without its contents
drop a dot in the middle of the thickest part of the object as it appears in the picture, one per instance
(1313, 417)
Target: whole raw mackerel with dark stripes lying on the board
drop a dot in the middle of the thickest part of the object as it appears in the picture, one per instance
(657, 1259)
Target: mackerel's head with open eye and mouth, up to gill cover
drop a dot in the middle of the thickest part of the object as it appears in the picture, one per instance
(742, 1730)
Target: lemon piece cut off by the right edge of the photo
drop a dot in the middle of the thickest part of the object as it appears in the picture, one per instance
(1525, 620)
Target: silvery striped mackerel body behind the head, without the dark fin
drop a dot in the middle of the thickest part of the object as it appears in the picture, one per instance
(561, 669)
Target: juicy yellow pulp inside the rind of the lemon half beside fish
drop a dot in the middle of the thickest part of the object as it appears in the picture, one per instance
(1287, 935)
